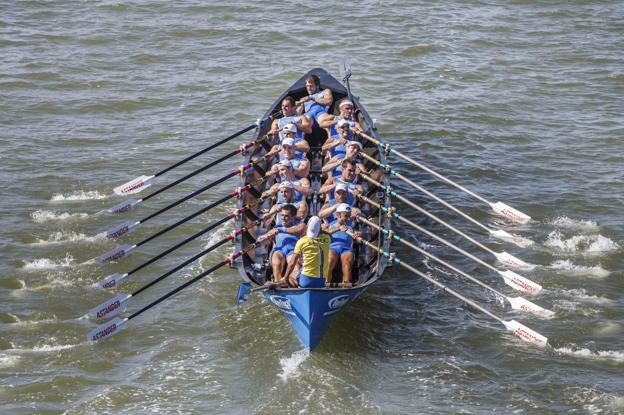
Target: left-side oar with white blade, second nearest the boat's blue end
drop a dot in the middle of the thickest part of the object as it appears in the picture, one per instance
(119, 303)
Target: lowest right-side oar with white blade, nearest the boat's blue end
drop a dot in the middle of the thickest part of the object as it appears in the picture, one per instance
(517, 328)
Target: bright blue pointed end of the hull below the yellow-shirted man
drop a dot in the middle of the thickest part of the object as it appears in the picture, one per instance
(310, 311)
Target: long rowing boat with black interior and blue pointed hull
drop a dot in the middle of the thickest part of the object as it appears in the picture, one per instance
(311, 310)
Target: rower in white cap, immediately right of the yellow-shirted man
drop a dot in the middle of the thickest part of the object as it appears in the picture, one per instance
(341, 246)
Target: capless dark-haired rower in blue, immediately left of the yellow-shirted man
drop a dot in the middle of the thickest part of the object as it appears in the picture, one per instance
(286, 236)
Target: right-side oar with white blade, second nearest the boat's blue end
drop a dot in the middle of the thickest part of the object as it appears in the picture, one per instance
(517, 303)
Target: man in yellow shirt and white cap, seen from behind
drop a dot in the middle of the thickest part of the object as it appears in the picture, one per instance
(312, 254)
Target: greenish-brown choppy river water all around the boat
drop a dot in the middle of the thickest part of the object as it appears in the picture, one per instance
(519, 101)
